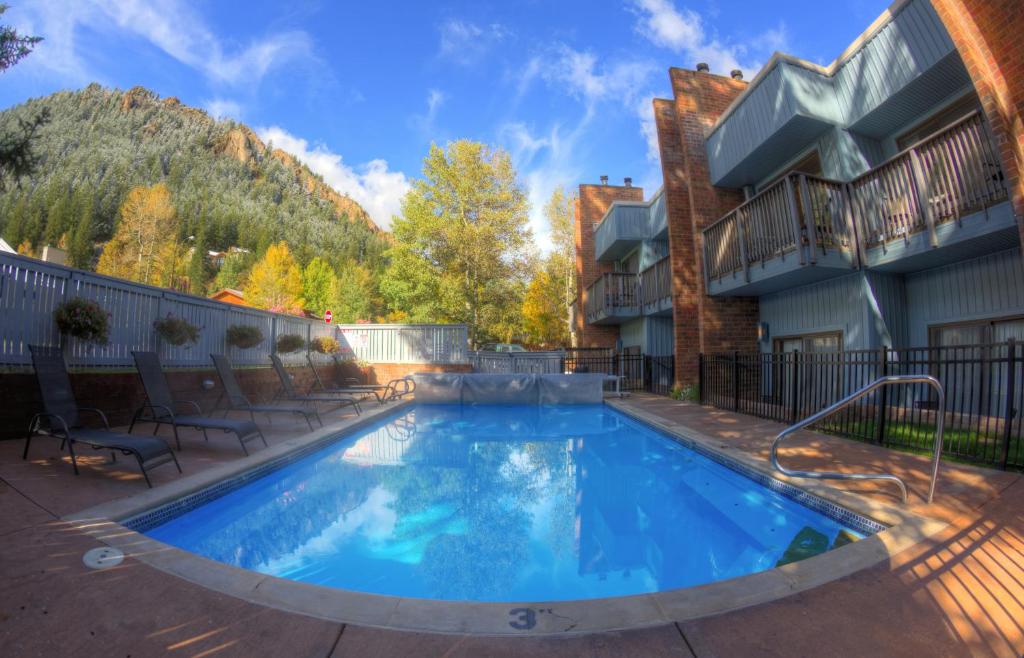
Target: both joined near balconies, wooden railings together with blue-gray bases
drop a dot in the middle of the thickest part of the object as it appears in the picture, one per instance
(942, 200)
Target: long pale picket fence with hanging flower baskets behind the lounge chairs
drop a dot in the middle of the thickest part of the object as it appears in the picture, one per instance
(31, 290)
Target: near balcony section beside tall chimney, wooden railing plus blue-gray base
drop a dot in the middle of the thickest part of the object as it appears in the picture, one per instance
(798, 231)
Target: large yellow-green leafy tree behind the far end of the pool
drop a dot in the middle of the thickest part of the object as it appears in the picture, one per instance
(462, 245)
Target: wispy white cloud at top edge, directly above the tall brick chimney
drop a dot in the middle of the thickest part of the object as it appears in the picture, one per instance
(684, 32)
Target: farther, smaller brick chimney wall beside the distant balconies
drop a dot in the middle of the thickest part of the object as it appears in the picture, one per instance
(591, 206)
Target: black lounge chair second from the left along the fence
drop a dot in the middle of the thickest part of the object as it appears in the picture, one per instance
(161, 406)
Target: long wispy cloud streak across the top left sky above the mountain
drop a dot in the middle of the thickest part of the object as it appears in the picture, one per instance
(173, 27)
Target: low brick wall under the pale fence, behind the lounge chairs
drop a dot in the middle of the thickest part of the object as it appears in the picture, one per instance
(119, 394)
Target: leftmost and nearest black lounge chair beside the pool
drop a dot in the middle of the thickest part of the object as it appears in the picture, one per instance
(61, 419)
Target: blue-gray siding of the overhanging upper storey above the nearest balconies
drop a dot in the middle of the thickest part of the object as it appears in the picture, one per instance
(910, 67)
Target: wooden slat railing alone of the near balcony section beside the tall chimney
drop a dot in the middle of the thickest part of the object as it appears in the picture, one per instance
(790, 215)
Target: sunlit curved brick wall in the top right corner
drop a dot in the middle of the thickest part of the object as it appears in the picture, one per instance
(989, 36)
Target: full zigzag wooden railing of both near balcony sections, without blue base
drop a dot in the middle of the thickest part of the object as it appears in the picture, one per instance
(949, 174)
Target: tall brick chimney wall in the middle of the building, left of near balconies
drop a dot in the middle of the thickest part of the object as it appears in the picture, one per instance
(702, 324)
